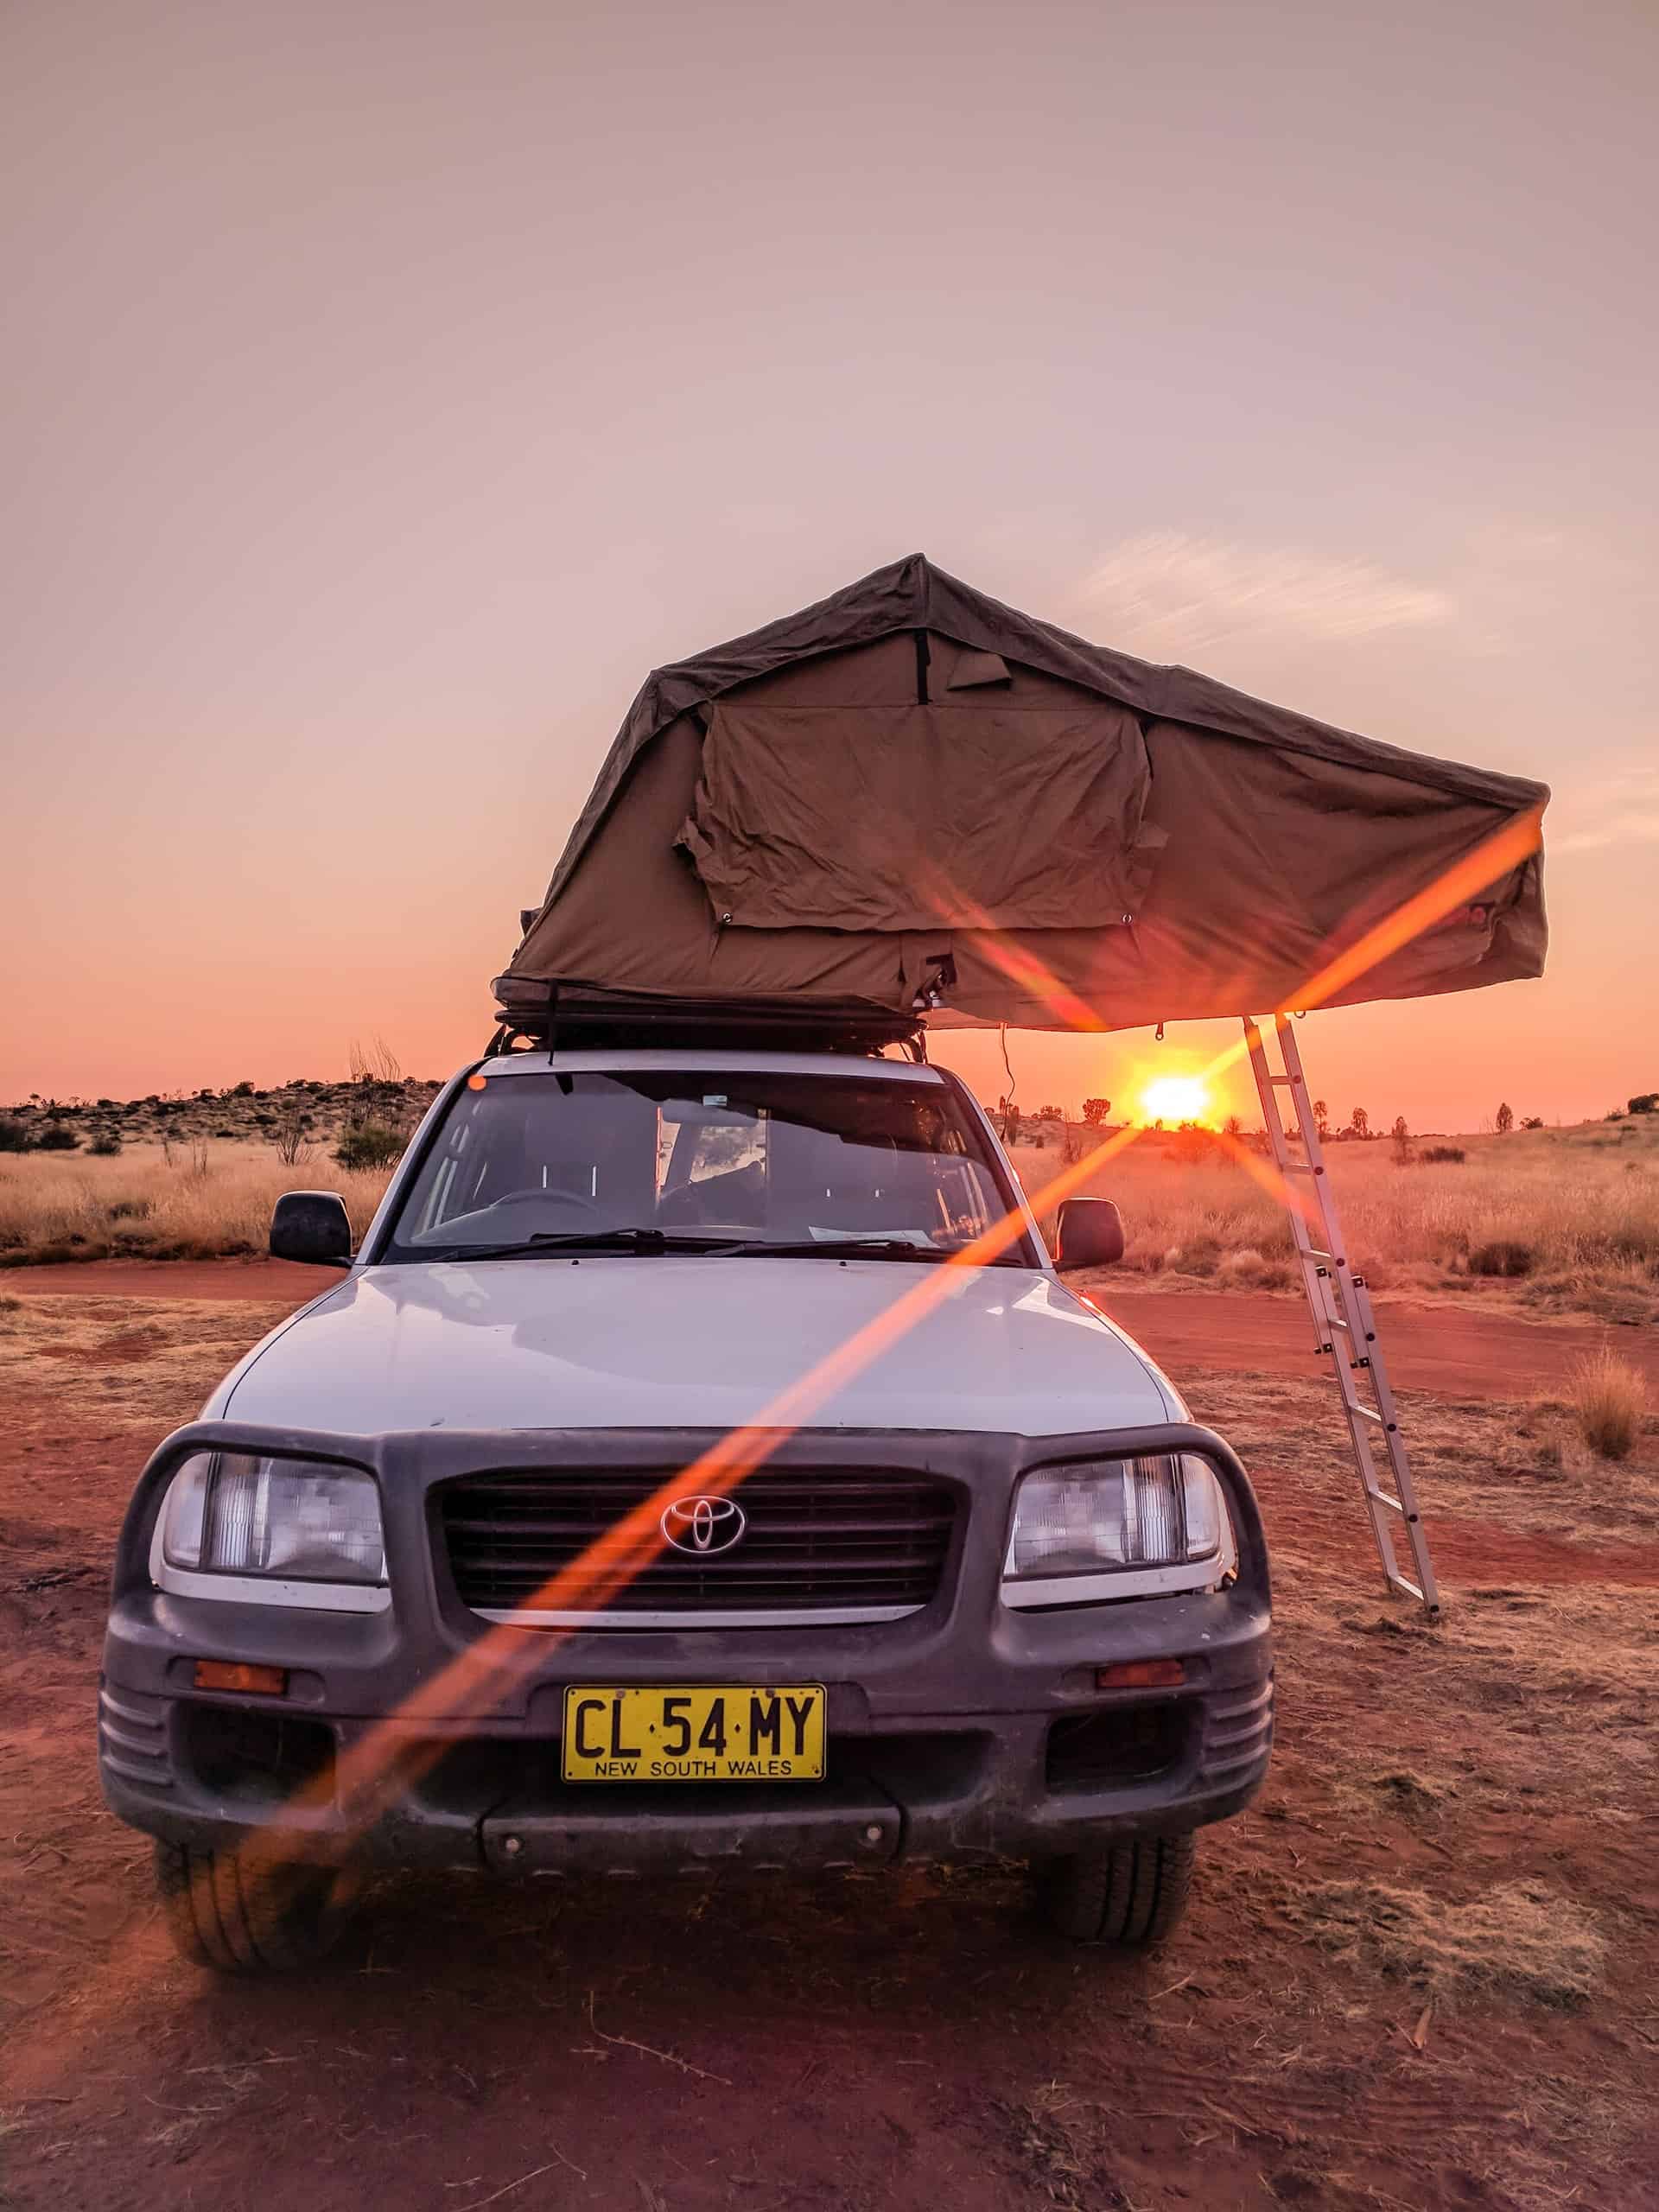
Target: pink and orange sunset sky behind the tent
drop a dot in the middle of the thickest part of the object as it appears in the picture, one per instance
(390, 388)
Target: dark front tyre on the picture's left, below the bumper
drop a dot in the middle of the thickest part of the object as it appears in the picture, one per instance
(247, 1912)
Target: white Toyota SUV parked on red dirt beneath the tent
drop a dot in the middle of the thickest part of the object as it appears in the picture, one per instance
(700, 1465)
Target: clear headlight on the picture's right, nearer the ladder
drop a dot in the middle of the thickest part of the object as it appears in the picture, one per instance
(1154, 1523)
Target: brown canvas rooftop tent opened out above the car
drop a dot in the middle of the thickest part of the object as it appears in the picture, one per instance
(912, 795)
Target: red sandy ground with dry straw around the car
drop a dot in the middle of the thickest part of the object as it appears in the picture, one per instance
(1419, 1974)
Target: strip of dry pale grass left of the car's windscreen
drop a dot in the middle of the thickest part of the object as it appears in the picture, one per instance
(202, 1202)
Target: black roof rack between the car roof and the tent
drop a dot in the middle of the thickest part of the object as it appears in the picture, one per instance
(578, 1016)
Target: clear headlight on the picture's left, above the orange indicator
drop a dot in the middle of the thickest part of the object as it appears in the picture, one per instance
(284, 1521)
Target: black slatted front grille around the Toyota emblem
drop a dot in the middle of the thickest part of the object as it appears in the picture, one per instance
(839, 1541)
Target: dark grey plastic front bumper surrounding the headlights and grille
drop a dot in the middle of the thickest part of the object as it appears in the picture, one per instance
(966, 1731)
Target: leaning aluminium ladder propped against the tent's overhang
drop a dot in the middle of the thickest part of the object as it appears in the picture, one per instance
(1344, 1322)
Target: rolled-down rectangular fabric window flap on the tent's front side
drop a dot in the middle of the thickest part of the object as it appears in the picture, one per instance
(921, 817)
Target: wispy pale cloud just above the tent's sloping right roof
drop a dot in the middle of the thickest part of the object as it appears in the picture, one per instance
(1171, 594)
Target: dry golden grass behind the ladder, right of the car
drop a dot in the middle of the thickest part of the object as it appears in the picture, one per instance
(1556, 1220)
